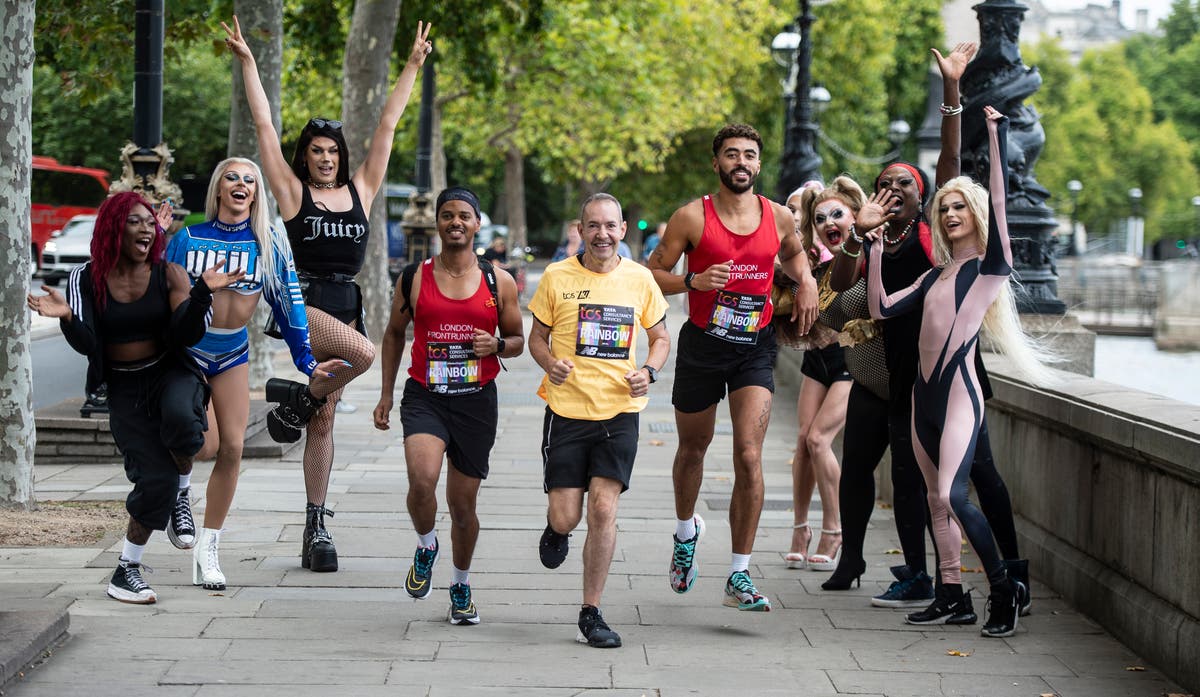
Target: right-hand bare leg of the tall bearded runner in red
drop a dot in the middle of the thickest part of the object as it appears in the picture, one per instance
(751, 412)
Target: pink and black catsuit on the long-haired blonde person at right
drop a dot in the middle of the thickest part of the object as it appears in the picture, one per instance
(947, 400)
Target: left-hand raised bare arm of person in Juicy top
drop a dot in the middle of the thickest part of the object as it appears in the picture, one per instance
(287, 189)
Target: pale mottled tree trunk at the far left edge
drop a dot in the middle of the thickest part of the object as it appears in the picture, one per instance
(17, 434)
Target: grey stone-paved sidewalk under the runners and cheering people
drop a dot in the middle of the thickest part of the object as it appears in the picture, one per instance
(281, 630)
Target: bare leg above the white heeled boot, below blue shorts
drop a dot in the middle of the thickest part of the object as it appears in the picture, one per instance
(229, 414)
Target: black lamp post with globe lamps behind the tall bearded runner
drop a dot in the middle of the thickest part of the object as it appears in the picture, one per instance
(801, 161)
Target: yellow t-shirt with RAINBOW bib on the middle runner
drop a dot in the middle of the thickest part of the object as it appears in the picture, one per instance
(595, 320)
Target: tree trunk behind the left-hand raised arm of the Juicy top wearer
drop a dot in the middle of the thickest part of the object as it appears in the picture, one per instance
(262, 23)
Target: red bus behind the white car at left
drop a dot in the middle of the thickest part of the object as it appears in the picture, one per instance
(58, 194)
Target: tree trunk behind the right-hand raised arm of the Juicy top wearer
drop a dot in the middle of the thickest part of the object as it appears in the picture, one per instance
(365, 89)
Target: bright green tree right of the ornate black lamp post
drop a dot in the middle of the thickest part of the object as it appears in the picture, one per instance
(1101, 130)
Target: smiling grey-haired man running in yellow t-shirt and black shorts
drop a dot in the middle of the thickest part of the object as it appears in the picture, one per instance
(586, 315)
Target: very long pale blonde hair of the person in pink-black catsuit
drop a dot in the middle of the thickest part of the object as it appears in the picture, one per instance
(1001, 325)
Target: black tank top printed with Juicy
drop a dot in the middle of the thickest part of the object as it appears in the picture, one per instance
(329, 242)
